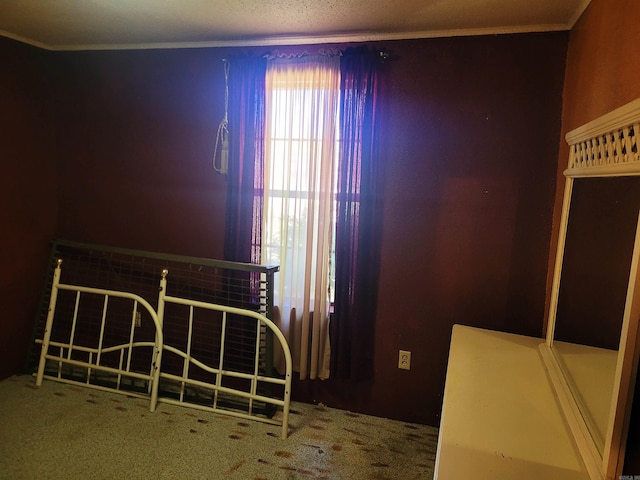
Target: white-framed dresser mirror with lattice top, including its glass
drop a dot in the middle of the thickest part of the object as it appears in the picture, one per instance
(593, 342)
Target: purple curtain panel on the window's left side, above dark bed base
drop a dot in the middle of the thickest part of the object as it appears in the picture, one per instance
(246, 159)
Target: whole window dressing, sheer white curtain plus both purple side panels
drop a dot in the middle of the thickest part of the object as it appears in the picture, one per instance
(290, 116)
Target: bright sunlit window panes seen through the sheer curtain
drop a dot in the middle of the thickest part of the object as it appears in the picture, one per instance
(301, 169)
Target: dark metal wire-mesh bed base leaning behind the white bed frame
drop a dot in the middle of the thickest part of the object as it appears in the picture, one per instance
(235, 284)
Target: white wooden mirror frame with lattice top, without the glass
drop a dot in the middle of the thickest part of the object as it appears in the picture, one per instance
(596, 150)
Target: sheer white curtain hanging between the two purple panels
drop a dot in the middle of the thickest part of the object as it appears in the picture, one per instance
(302, 98)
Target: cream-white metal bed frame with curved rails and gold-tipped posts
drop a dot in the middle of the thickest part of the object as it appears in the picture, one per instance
(249, 384)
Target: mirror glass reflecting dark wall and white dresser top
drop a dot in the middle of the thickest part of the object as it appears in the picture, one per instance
(592, 296)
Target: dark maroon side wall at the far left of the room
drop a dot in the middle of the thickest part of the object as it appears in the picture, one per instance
(28, 205)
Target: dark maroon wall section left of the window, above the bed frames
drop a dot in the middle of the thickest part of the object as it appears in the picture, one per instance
(137, 158)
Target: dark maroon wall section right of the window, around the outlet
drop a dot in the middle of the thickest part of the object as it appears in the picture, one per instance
(470, 151)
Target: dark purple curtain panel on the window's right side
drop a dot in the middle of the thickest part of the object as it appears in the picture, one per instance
(358, 220)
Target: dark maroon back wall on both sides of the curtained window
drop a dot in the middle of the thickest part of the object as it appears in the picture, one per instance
(469, 144)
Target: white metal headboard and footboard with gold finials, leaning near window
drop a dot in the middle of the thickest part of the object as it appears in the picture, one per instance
(153, 378)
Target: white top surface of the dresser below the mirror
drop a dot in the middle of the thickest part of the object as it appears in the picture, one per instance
(500, 418)
